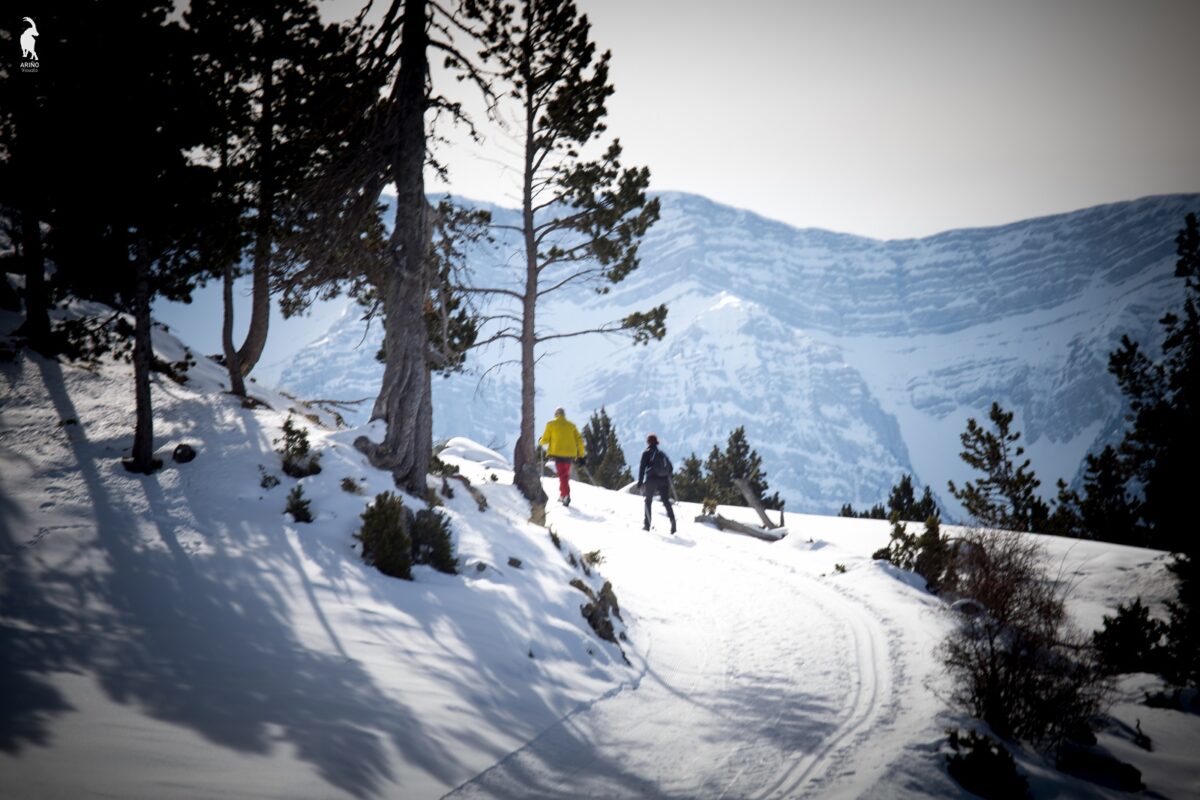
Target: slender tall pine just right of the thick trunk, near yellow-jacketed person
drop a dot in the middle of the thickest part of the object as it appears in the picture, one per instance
(581, 220)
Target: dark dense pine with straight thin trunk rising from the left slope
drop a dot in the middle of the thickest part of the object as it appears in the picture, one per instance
(146, 236)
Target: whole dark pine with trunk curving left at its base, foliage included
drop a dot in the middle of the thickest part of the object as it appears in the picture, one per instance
(280, 76)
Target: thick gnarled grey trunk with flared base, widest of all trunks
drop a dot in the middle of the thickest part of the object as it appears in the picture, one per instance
(405, 402)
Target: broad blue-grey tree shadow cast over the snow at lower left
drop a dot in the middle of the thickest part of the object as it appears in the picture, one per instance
(201, 642)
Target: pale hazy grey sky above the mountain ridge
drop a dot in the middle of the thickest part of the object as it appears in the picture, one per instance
(893, 118)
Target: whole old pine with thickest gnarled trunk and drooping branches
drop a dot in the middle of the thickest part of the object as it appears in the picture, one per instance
(387, 141)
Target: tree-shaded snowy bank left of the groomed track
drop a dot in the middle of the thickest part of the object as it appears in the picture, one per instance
(179, 636)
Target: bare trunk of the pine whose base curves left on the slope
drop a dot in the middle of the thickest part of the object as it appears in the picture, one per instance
(261, 304)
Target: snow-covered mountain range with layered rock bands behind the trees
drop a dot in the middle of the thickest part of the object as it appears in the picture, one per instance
(849, 360)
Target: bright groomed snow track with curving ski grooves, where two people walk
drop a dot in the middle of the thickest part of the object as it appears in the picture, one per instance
(757, 675)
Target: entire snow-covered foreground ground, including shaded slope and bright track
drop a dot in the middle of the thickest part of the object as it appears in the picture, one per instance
(178, 636)
